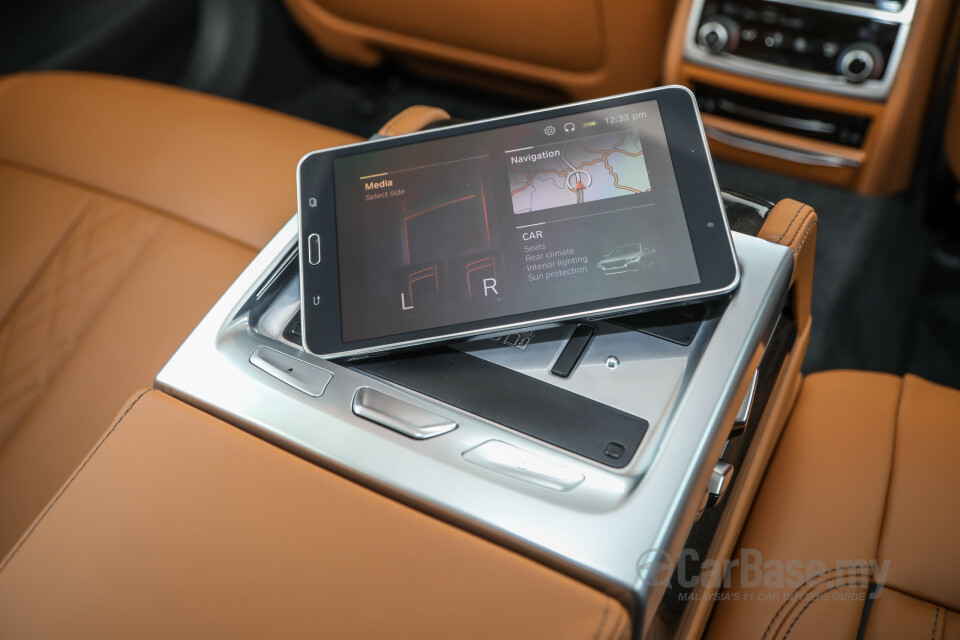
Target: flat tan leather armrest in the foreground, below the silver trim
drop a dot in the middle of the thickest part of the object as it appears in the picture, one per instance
(180, 525)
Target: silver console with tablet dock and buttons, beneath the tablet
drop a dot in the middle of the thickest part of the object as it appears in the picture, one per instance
(589, 446)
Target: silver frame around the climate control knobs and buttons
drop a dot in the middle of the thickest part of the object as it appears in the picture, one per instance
(868, 89)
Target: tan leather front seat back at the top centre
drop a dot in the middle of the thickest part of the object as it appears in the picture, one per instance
(607, 47)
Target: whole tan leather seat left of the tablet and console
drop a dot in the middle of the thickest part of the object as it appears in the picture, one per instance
(125, 210)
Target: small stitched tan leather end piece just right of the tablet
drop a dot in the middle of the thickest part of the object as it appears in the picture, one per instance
(794, 225)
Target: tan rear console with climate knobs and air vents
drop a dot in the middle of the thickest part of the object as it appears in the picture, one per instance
(832, 90)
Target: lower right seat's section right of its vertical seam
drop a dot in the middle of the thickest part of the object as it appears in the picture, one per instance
(923, 508)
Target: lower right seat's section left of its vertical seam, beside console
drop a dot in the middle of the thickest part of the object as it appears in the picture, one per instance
(814, 526)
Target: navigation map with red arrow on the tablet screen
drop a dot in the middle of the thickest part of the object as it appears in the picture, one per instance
(584, 170)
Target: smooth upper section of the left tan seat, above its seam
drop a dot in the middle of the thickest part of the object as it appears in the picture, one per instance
(228, 167)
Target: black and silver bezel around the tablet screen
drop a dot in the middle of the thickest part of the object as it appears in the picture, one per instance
(699, 193)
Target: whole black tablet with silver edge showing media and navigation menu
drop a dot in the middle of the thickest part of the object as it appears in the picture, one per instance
(585, 210)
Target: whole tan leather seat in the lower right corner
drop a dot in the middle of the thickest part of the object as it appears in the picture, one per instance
(863, 489)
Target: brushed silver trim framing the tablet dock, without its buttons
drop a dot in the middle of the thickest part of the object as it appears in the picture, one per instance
(601, 527)
